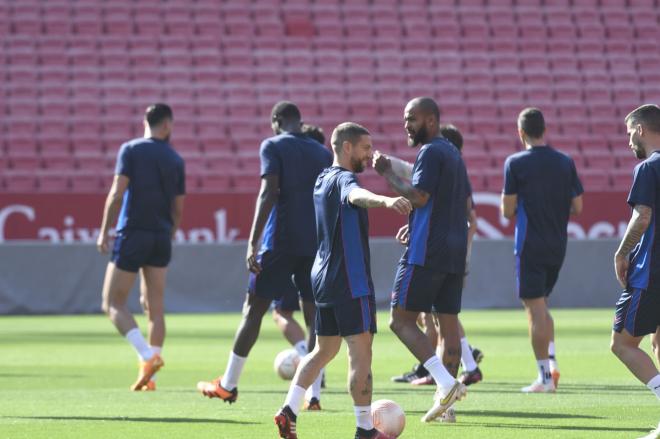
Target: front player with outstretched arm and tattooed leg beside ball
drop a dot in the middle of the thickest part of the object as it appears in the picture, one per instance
(343, 289)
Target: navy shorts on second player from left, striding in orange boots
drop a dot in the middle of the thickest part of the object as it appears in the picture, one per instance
(281, 276)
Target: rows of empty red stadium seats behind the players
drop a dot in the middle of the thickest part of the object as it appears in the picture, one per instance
(77, 75)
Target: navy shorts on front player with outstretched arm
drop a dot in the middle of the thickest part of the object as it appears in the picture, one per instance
(352, 317)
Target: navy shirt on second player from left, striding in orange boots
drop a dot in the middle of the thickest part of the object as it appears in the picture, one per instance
(297, 160)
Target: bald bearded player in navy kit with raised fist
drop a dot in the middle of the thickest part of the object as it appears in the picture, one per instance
(430, 273)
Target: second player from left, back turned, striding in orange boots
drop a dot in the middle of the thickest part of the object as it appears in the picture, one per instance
(284, 213)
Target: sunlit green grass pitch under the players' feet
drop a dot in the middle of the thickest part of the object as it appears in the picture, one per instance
(68, 376)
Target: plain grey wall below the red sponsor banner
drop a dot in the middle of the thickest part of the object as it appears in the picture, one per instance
(38, 278)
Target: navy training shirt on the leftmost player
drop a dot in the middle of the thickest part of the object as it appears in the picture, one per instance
(156, 176)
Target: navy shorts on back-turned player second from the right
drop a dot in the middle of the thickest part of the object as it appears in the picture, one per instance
(533, 279)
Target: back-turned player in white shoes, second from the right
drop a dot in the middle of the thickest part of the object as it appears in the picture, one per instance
(541, 189)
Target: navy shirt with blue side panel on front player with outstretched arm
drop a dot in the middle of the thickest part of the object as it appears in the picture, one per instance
(341, 269)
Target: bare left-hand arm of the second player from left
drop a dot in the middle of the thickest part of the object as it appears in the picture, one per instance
(267, 198)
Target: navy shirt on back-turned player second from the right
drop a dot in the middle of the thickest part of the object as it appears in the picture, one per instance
(546, 182)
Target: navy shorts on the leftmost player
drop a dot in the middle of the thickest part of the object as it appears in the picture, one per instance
(136, 248)
